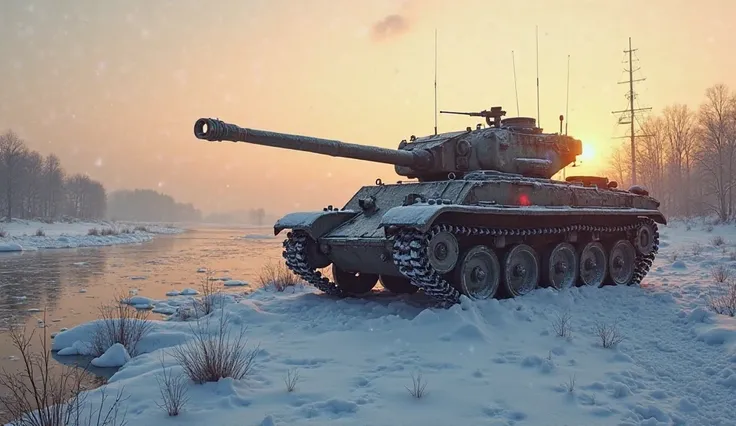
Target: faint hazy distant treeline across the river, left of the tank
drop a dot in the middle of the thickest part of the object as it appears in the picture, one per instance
(149, 206)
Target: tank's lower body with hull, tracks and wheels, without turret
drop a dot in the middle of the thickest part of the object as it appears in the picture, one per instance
(486, 235)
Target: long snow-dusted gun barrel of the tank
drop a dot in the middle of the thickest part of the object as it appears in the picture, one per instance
(211, 129)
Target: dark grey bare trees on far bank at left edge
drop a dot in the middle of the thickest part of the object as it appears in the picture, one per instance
(33, 186)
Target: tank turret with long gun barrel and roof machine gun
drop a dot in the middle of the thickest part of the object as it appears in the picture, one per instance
(514, 145)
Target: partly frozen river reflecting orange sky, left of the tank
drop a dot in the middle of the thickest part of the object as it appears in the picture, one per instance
(68, 286)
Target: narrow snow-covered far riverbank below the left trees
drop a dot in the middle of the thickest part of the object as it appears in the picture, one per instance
(33, 235)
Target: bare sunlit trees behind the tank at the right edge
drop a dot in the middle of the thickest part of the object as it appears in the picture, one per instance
(686, 158)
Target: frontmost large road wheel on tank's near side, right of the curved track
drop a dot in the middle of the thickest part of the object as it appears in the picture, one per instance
(479, 273)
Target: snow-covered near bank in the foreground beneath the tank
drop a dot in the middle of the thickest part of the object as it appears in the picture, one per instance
(496, 362)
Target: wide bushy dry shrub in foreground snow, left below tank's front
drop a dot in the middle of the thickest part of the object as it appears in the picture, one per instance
(209, 357)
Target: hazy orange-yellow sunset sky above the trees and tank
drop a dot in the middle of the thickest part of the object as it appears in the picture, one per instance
(114, 87)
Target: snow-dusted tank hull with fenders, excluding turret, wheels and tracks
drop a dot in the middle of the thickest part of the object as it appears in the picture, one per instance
(498, 212)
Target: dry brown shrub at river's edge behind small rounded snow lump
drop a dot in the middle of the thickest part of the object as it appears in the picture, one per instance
(120, 323)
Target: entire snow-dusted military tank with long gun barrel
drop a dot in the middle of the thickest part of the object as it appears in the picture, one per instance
(479, 215)
